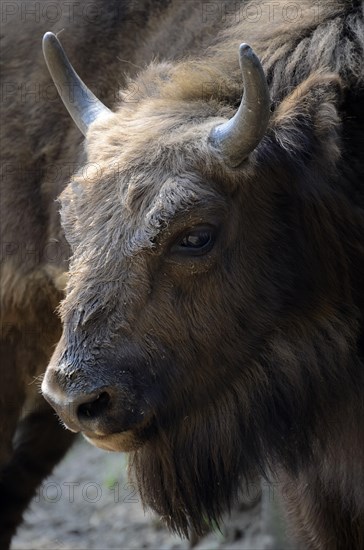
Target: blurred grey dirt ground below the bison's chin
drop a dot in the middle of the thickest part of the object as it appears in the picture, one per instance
(88, 503)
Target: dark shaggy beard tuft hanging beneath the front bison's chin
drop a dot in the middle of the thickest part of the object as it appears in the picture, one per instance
(190, 472)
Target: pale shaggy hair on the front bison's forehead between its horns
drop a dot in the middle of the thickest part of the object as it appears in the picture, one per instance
(148, 162)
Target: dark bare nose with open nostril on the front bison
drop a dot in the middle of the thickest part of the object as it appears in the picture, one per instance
(102, 410)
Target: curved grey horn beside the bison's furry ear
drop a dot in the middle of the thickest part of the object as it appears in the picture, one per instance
(237, 137)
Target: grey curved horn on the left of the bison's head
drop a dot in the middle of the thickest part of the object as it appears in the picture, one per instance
(80, 102)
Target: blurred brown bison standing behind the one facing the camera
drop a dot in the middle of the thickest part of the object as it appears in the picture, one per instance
(40, 148)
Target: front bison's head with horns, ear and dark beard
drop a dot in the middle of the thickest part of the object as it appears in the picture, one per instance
(198, 307)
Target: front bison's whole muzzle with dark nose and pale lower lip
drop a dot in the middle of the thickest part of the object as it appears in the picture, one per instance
(106, 401)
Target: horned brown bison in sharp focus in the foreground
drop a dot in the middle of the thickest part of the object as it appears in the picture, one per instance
(213, 319)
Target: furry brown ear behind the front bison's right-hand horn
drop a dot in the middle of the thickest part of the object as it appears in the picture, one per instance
(306, 124)
